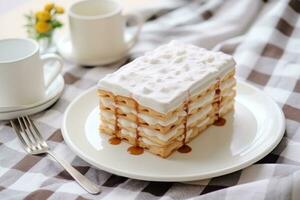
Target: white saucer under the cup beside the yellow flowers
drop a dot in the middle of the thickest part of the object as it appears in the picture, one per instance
(65, 49)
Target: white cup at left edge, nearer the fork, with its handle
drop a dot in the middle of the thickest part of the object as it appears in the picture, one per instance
(22, 78)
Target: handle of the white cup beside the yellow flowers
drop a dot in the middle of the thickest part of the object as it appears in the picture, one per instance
(139, 21)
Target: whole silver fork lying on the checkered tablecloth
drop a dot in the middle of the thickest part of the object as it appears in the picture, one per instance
(34, 143)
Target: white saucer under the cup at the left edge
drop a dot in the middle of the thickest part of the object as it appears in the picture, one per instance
(52, 95)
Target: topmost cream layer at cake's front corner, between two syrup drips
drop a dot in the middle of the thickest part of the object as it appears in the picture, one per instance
(153, 121)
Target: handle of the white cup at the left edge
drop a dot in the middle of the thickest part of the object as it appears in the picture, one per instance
(54, 73)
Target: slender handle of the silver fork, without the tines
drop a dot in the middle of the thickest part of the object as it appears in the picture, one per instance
(81, 180)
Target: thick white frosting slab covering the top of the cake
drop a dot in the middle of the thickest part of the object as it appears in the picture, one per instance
(164, 78)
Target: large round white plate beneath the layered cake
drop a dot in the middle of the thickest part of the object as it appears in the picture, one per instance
(251, 132)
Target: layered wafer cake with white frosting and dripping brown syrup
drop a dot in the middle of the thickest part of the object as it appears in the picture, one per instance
(166, 98)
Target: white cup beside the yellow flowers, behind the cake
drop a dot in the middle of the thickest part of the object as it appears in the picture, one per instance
(97, 31)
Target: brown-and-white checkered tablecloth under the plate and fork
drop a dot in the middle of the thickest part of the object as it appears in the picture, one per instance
(264, 38)
